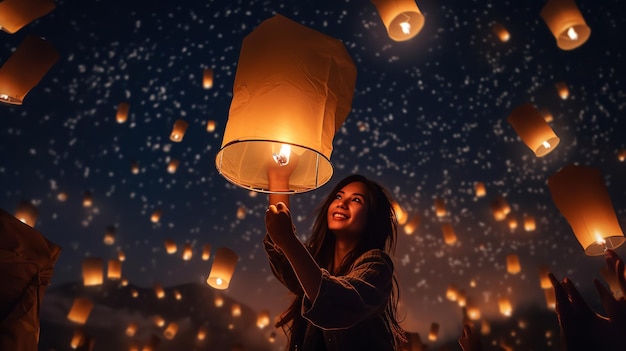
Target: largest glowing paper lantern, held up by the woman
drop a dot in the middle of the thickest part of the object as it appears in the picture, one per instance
(292, 91)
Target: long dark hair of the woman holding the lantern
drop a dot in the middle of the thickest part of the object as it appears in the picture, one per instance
(380, 233)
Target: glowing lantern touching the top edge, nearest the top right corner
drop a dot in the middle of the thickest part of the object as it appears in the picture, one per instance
(566, 23)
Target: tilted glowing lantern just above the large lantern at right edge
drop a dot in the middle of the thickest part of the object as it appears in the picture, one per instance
(532, 128)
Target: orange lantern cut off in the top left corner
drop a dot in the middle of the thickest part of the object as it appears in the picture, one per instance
(15, 14)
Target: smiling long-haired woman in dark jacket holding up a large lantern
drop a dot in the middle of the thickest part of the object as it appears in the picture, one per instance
(346, 292)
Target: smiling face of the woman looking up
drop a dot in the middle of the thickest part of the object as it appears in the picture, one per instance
(347, 213)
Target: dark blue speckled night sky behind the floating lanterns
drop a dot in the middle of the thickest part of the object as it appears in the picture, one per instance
(428, 121)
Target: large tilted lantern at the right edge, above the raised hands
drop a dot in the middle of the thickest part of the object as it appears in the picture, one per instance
(581, 196)
